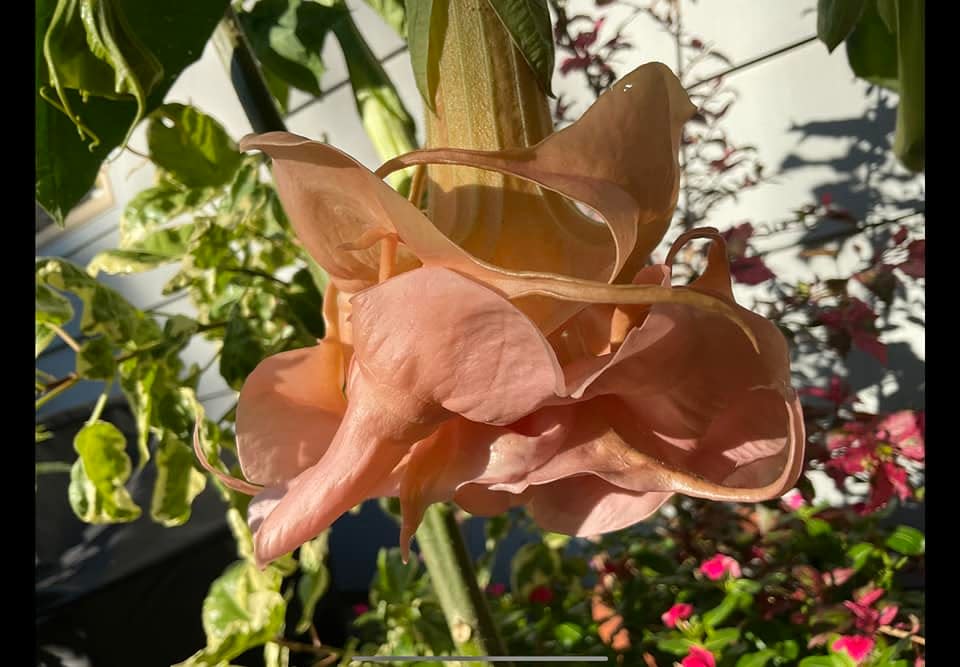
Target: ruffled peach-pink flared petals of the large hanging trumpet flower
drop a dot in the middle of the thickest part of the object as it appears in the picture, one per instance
(585, 387)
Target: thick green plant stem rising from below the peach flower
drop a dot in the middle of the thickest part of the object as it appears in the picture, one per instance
(455, 583)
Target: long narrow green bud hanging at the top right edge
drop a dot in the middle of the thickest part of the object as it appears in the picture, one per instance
(909, 143)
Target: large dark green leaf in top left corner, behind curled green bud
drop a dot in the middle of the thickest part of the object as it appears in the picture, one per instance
(174, 31)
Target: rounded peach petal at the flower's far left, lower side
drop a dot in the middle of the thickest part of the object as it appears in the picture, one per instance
(289, 409)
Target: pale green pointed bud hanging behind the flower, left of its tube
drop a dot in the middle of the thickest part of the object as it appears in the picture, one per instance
(386, 120)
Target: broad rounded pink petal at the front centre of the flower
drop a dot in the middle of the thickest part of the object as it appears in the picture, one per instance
(434, 338)
